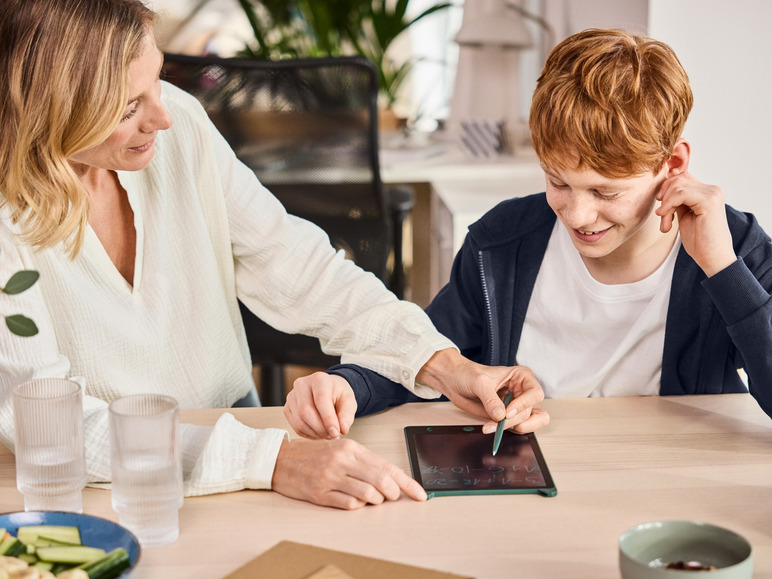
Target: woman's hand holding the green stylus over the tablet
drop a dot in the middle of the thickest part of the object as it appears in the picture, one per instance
(476, 389)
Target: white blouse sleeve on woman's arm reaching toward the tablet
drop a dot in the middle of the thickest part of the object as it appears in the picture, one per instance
(289, 275)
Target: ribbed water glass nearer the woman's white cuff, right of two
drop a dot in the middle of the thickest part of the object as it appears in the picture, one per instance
(146, 465)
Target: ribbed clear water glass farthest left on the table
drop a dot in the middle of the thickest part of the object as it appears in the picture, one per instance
(50, 452)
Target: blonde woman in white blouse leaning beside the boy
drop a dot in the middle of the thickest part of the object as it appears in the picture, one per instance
(145, 229)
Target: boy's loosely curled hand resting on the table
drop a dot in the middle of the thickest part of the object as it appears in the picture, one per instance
(321, 406)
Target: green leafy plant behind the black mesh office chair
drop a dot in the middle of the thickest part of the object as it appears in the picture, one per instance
(307, 28)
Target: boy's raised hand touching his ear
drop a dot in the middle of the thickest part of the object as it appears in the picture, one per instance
(701, 215)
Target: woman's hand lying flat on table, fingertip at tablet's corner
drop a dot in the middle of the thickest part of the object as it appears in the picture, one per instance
(339, 473)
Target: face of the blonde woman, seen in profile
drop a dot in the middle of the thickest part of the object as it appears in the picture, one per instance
(130, 146)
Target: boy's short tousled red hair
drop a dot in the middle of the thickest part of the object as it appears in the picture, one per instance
(609, 100)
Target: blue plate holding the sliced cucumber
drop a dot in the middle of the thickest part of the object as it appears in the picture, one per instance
(94, 531)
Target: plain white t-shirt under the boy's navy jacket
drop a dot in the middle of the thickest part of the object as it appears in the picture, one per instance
(585, 338)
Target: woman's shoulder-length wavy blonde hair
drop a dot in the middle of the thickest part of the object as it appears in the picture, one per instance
(64, 70)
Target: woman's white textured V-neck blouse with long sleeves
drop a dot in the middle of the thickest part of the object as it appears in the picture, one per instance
(207, 233)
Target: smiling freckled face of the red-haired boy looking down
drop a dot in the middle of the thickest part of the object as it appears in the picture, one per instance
(609, 220)
